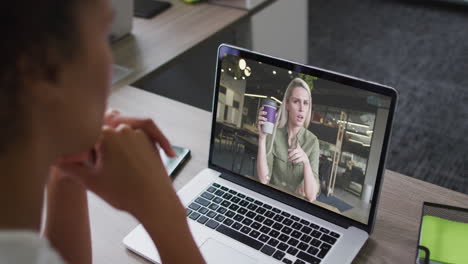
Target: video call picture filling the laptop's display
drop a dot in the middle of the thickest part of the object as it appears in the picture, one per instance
(312, 138)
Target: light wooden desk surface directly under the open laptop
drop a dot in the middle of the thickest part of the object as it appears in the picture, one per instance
(396, 230)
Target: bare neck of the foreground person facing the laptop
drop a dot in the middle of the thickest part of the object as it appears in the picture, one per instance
(24, 171)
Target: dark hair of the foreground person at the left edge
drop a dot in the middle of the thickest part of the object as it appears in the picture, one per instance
(37, 37)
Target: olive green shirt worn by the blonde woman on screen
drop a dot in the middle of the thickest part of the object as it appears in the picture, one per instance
(283, 173)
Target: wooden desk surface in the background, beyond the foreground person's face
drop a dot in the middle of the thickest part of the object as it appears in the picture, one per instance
(157, 41)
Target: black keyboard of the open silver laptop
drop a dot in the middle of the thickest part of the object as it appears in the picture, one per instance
(261, 226)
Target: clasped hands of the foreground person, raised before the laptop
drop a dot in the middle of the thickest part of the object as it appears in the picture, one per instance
(128, 172)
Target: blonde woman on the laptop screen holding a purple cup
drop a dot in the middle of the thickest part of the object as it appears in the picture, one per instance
(289, 158)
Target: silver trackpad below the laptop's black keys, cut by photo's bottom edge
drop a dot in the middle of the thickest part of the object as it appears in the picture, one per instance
(215, 252)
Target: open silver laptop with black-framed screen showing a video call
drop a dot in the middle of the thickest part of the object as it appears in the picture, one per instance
(322, 213)
